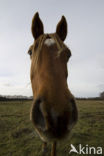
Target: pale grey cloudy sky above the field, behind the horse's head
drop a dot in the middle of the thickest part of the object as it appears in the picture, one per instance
(85, 38)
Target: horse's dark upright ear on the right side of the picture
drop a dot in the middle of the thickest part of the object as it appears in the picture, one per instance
(61, 28)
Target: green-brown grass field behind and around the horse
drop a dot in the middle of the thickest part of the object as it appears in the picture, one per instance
(17, 136)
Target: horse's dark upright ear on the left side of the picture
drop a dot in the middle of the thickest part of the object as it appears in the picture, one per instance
(37, 26)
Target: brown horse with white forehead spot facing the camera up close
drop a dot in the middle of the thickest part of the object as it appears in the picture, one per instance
(54, 111)
